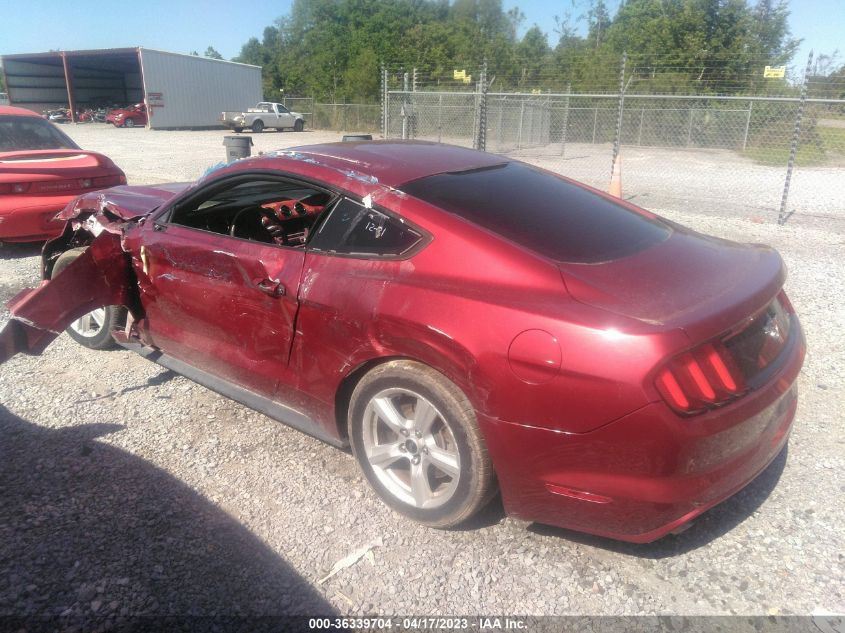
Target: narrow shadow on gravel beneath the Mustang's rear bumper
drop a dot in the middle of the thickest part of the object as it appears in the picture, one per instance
(713, 524)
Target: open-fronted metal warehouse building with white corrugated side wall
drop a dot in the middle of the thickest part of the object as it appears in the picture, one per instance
(181, 91)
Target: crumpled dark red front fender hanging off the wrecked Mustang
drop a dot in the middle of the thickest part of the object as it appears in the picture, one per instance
(101, 276)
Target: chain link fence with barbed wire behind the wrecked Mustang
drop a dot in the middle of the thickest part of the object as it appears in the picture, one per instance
(765, 158)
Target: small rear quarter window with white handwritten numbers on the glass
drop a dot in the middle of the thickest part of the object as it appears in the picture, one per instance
(354, 229)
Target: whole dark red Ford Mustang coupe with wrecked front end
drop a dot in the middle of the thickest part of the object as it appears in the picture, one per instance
(466, 322)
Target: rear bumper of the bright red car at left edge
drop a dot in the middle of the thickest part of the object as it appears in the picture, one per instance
(30, 218)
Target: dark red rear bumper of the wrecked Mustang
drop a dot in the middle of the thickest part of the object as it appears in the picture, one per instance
(647, 474)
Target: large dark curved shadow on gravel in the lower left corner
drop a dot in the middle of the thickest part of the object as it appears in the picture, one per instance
(91, 534)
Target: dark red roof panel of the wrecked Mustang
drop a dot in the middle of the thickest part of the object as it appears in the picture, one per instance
(394, 163)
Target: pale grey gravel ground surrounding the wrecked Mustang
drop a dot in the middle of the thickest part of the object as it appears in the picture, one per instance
(130, 490)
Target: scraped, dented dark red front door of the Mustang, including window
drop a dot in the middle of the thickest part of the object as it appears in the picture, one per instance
(223, 304)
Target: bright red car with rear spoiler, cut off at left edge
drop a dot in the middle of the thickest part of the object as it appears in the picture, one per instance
(41, 170)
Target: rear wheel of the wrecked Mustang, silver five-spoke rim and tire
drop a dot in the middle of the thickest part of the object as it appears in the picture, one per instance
(417, 441)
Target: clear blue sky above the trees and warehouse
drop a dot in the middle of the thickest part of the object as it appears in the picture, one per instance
(181, 26)
